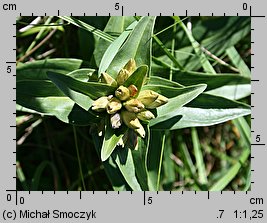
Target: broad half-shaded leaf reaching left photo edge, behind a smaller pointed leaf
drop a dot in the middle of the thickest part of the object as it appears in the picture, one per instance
(36, 93)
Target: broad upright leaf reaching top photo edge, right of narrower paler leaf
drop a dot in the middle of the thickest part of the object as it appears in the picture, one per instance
(137, 46)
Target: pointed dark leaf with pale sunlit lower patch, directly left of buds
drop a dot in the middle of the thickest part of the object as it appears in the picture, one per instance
(83, 93)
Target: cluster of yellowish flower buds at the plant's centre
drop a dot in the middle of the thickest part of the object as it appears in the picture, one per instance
(128, 105)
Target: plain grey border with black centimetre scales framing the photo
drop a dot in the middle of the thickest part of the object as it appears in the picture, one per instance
(132, 206)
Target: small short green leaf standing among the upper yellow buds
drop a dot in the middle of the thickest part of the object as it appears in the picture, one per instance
(137, 78)
